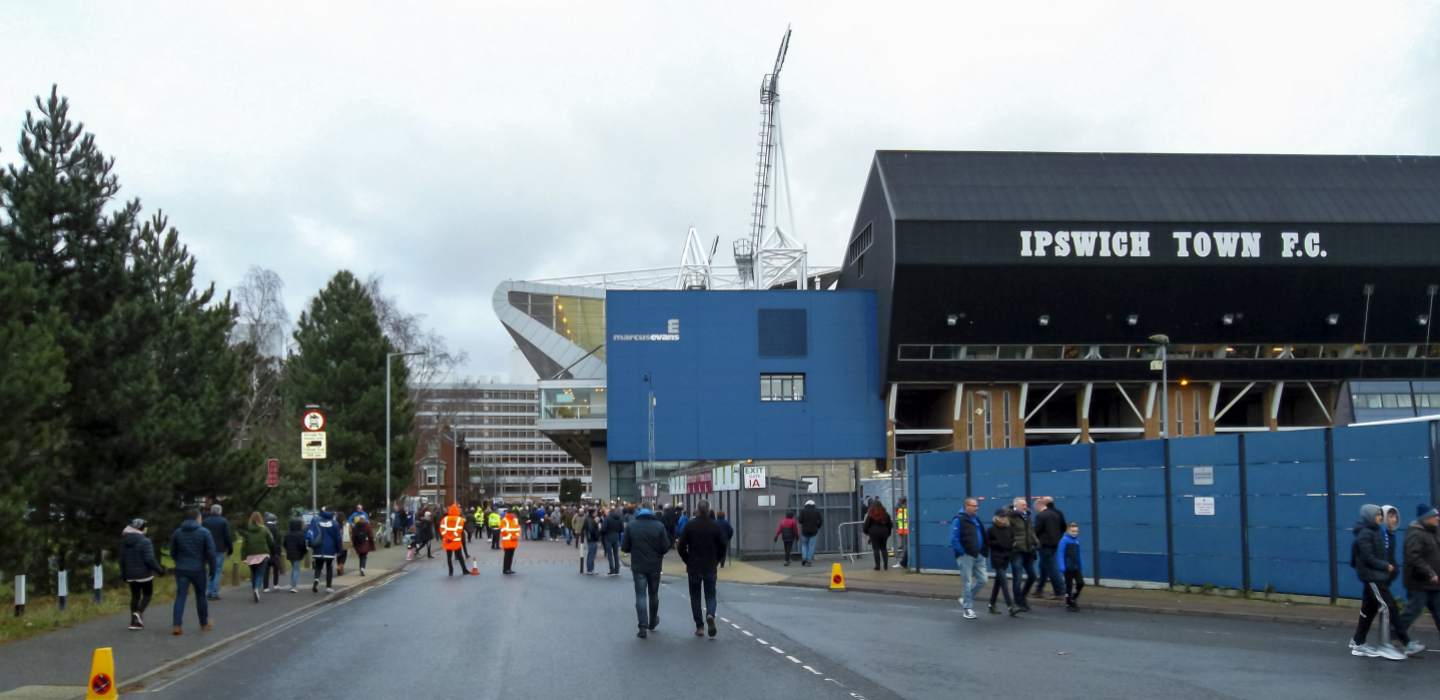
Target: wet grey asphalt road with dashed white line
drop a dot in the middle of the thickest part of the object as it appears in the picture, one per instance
(549, 630)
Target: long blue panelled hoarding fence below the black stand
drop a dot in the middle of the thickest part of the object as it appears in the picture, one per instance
(1256, 512)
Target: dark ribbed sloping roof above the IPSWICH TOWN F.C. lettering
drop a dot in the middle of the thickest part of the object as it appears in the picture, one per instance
(1000, 187)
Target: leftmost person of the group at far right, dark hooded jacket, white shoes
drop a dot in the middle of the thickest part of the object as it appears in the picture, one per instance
(1374, 565)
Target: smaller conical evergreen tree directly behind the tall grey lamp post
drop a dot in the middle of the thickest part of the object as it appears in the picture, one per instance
(339, 365)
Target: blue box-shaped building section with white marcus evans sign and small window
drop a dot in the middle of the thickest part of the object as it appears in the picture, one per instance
(744, 375)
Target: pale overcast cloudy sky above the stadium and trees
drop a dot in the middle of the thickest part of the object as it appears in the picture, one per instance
(453, 146)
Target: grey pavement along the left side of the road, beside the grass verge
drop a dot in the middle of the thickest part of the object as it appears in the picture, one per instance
(57, 666)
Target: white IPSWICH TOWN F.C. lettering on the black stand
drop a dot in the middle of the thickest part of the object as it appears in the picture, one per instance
(1137, 244)
